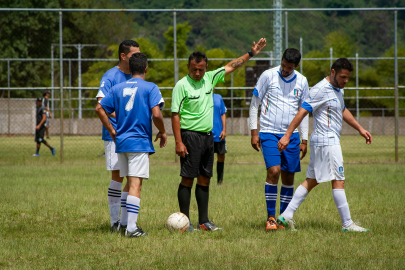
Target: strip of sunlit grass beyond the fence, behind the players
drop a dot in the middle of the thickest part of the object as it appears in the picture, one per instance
(78, 150)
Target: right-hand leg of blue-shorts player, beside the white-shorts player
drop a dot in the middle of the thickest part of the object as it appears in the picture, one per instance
(290, 164)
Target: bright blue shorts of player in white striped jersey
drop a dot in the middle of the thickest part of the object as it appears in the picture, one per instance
(289, 159)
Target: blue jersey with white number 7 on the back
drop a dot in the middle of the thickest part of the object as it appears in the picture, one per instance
(132, 101)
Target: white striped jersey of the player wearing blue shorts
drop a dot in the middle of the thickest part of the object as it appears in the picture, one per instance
(281, 98)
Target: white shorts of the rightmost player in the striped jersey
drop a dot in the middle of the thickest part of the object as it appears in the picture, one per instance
(326, 163)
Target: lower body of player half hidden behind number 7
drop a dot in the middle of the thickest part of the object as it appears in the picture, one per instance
(114, 189)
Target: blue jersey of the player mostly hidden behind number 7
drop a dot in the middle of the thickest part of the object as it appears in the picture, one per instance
(112, 77)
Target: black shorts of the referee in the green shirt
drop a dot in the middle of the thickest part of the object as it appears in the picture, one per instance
(200, 157)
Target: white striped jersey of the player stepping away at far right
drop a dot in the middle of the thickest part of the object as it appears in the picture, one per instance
(326, 104)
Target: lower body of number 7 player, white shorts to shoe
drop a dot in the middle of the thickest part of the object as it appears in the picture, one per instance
(138, 169)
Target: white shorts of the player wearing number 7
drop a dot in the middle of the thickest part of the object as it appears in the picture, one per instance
(134, 164)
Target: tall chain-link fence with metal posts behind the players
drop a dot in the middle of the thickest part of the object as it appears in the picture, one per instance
(26, 74)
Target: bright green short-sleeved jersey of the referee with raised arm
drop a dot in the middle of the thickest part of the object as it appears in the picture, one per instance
(193, 100)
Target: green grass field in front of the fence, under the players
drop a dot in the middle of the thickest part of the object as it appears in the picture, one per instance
(56, 216)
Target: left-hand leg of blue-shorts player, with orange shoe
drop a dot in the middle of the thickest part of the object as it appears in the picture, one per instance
(272, 160)
